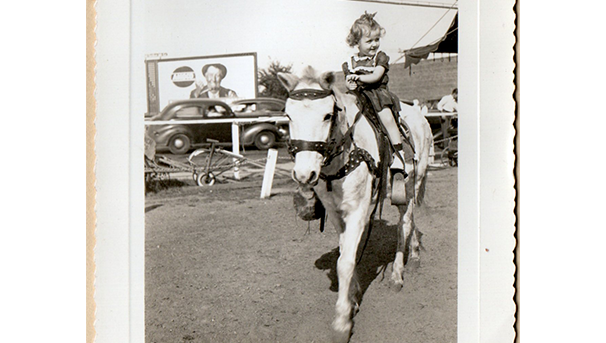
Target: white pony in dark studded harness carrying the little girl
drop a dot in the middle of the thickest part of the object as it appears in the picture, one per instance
(337, 156)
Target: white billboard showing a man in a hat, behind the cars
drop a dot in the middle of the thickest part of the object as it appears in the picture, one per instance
(217, 76)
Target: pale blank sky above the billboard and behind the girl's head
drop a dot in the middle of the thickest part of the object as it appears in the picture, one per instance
(292, 32)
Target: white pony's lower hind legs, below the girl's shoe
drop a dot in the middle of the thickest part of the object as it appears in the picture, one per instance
(406, 239)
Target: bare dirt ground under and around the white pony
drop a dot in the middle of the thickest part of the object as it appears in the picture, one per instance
(222, 265)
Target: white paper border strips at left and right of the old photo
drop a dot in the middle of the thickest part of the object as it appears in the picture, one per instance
(485, 305)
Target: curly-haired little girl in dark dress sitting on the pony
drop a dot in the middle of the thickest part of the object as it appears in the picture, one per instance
(367, 70)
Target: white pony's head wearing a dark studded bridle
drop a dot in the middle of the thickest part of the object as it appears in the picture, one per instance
(312, 113)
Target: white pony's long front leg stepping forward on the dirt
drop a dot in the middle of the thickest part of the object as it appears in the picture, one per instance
(349, 240)
